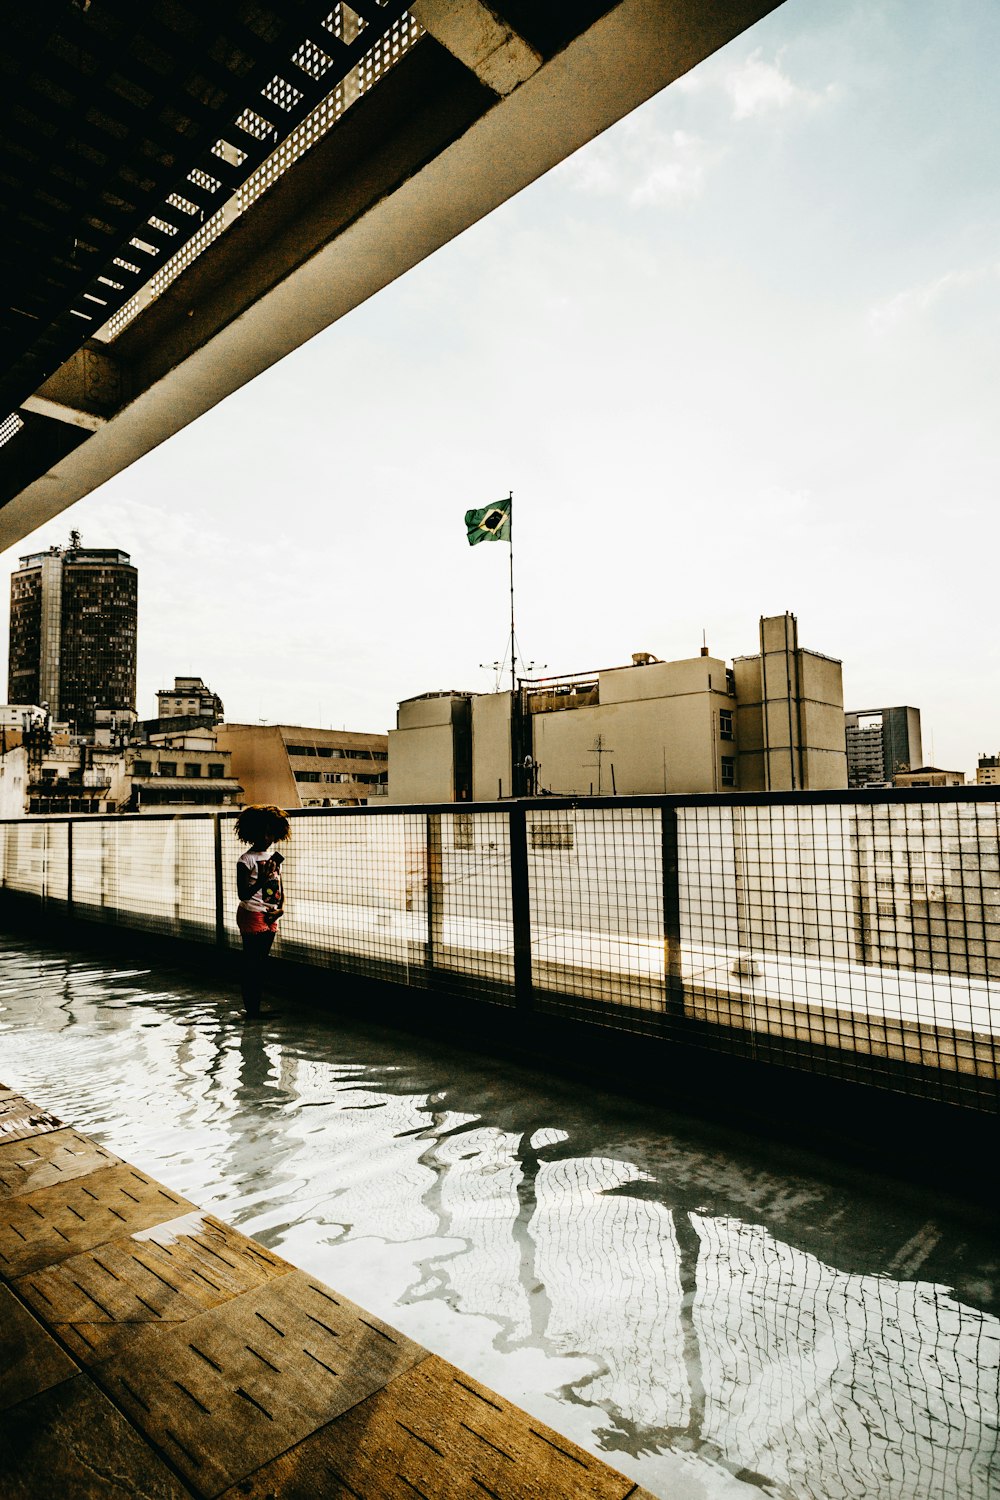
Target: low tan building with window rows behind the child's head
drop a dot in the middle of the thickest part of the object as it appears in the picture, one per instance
(298, 767)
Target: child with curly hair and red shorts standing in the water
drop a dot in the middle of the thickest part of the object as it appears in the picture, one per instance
(259, 883)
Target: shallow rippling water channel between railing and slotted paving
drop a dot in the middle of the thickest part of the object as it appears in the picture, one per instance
(714, 1318)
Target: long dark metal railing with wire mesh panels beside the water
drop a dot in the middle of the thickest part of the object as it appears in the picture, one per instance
(852, 935)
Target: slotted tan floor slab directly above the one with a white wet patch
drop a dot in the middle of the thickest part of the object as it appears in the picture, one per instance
(43, 1228)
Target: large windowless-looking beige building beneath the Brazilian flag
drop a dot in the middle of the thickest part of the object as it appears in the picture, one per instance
(774, 721)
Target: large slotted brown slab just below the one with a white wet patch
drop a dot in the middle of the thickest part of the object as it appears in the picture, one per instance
(250, 1379)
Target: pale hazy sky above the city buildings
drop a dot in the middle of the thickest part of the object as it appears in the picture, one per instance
(738, 356)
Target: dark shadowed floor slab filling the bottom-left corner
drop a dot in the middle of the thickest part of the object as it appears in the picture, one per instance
(71, 1442)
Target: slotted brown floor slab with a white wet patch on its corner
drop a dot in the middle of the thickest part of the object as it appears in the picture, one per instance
(100, 1301)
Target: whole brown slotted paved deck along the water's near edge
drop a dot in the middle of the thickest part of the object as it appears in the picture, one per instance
(151, 1351)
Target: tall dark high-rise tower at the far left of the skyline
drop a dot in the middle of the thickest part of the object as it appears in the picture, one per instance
(73, 632)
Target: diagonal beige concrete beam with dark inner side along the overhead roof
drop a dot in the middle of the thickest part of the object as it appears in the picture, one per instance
(484, 104)
